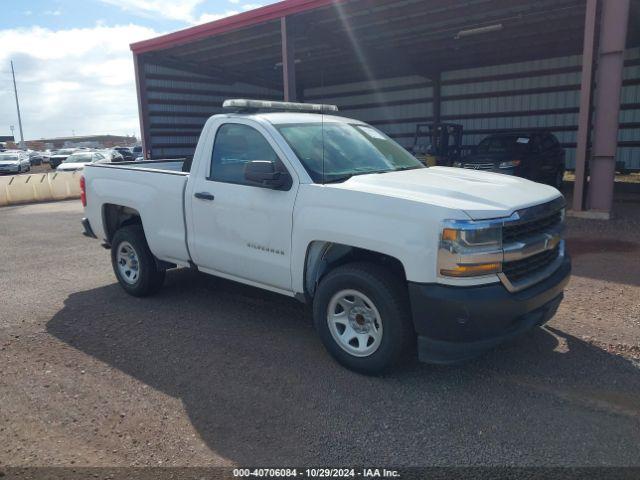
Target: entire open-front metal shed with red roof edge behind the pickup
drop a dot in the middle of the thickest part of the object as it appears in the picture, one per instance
(308, 50)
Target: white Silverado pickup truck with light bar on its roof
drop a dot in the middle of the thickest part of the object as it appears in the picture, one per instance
(329, 210)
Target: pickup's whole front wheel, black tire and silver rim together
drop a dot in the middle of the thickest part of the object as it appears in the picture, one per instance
(361, 312)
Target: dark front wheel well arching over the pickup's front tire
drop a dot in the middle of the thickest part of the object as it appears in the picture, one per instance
(322, 257)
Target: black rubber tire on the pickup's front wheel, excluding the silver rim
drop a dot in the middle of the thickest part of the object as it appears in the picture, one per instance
(388, 294)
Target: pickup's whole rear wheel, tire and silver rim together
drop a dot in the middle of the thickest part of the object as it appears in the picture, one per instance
(134, 264)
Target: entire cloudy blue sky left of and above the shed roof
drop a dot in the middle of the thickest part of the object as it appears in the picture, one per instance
(74, 68)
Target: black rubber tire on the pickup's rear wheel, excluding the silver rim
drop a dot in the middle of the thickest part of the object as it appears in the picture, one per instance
(149, 278)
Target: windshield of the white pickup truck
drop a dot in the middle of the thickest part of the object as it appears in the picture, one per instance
(333, 151)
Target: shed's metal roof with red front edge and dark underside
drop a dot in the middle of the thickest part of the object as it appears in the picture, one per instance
(362, 40)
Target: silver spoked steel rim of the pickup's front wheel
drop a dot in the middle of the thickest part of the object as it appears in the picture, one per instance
(354, 323)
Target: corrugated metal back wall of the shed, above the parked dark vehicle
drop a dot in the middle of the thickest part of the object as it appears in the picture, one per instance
(534, 94)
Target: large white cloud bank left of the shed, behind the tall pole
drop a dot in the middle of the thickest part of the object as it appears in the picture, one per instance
(77, 79)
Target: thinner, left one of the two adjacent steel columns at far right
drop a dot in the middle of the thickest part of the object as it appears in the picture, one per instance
(584, 117)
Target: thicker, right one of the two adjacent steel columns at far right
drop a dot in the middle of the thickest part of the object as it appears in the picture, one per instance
(613, 34)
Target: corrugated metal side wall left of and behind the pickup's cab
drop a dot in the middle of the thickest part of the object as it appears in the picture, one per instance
(179, 103)
